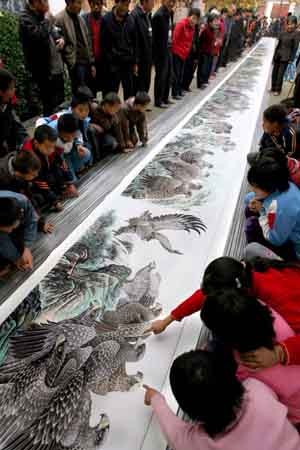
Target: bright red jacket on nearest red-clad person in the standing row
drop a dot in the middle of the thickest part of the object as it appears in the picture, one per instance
(183, 38)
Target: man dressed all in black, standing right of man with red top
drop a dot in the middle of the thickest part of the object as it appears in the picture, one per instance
(119, 49)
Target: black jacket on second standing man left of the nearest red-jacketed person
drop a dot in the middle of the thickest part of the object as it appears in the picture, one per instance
(144, 35)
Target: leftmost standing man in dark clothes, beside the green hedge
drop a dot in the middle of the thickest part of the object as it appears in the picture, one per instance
(42, 45)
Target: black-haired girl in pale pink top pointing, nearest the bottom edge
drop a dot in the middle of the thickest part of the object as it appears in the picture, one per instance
(226, 414)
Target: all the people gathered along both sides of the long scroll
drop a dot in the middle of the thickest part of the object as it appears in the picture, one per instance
(243, 389)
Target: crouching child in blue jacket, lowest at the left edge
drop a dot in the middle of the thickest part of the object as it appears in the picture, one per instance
(18, 231)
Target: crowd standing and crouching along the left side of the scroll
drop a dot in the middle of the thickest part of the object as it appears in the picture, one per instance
(101, 51)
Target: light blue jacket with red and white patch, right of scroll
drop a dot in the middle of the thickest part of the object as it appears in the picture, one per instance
(279, 217)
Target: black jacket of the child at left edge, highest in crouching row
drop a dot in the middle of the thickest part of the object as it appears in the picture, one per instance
(12, 132)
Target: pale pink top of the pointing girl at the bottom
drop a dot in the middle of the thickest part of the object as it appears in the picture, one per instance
(263, 425)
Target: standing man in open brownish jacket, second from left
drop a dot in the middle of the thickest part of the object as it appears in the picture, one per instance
(77, 52)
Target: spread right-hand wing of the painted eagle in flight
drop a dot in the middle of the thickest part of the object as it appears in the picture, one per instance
(183, 222)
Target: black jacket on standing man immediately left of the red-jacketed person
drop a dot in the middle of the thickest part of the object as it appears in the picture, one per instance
(160, 30)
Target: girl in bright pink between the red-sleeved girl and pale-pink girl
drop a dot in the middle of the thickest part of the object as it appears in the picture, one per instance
(243, 324)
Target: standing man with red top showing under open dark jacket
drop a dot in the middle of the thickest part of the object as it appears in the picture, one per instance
(93, 21)
